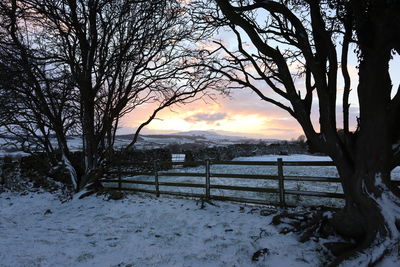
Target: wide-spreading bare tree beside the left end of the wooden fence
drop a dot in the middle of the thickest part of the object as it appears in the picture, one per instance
(120, 54)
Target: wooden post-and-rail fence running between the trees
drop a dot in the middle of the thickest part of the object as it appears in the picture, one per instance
(207, 185)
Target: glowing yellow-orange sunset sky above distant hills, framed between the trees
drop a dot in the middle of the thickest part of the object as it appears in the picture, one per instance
(243, 114)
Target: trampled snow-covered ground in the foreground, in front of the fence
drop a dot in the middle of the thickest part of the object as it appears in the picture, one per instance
(141, 230)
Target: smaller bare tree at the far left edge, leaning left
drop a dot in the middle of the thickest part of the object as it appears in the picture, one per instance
(36, 94)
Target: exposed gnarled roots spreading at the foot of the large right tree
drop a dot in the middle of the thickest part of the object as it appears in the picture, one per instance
(316, 223)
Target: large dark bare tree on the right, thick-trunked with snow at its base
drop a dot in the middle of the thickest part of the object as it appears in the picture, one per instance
(292, 59)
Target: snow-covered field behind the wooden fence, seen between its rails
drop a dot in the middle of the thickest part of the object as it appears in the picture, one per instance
(314, 171)
